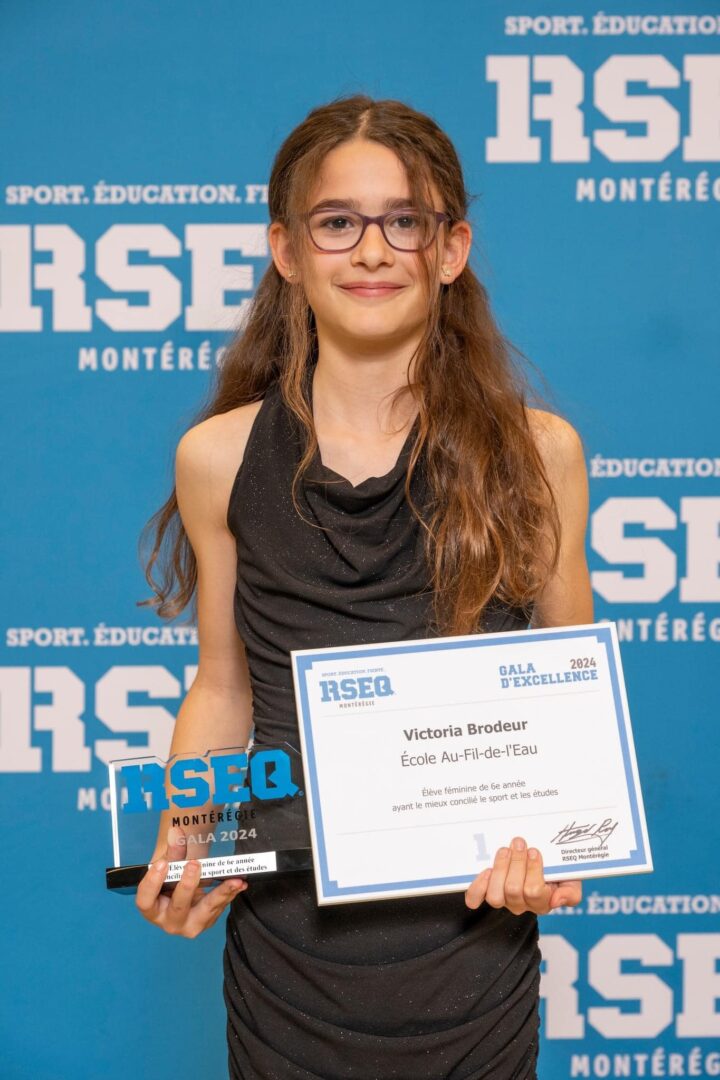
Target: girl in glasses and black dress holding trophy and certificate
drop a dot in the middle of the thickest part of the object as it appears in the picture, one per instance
(369, 471)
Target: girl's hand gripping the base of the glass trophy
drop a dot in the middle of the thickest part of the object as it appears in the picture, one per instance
(189, 909)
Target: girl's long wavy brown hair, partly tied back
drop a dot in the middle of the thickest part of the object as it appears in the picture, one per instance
(492, 526)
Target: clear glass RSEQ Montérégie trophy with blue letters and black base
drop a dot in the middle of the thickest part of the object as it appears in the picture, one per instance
(241, 811)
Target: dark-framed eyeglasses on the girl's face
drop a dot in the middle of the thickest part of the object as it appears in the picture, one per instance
(406, 231)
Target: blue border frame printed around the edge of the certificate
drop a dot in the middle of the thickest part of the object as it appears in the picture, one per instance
(304, 664)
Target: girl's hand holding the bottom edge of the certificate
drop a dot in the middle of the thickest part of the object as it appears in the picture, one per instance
(517, 882)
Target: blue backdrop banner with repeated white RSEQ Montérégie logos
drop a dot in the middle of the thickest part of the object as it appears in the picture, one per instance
(133, 233)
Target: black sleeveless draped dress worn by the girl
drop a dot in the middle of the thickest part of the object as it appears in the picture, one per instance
(417, 989)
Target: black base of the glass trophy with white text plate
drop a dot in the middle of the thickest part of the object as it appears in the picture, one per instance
(254, 865)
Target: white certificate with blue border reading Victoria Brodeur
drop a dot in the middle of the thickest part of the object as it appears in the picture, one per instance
(423, 758)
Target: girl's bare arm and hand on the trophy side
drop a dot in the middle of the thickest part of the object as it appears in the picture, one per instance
(218, 710)
